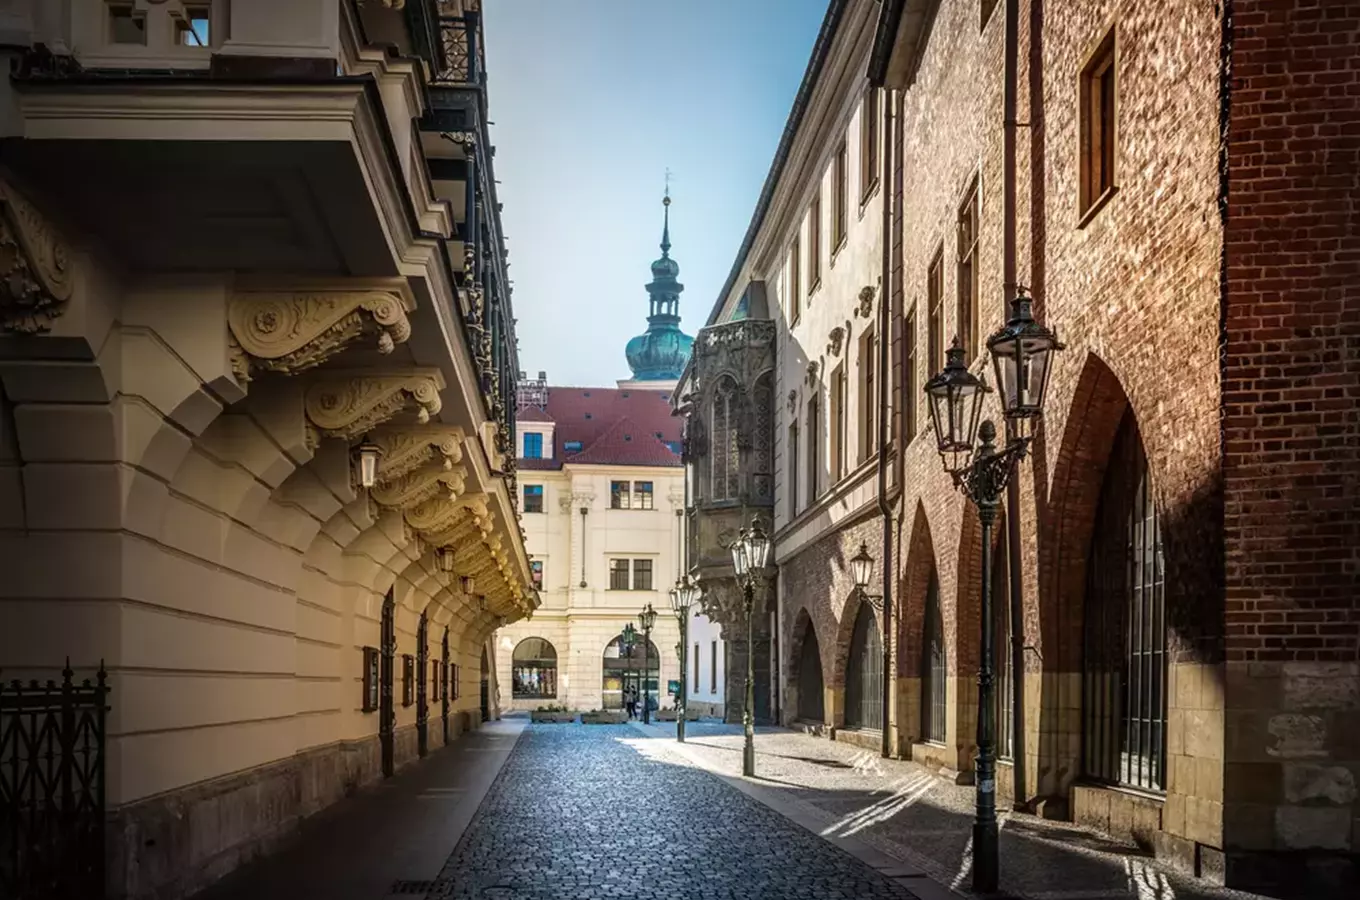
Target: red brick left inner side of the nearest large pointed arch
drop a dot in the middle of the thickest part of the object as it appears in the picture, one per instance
(1098, 406)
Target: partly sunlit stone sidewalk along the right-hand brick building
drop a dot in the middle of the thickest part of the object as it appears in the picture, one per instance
(902, 811)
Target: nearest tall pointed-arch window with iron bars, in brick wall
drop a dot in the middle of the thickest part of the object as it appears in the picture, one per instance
(1125, 629)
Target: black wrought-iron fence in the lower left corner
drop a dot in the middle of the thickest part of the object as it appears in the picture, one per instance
(52, 788)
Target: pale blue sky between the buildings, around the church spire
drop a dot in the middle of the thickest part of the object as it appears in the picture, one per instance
(591, 104)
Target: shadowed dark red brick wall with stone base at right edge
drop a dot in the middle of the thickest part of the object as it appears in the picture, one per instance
(1291, 384)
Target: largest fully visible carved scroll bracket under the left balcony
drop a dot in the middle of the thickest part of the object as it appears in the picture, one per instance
(296, 331)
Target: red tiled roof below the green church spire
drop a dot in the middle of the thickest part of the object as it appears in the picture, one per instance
(615, 426)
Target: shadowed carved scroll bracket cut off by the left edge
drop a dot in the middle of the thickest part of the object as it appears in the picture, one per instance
(36, 278)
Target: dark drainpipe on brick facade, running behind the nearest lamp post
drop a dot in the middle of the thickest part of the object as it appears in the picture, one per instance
(1008, 279)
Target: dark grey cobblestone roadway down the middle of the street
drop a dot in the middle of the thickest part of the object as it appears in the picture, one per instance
(585, 814)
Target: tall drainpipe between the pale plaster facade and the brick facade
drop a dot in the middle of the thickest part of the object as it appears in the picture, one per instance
(885, 324)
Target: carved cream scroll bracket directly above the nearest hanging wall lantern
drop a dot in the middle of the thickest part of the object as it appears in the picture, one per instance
(347, 407)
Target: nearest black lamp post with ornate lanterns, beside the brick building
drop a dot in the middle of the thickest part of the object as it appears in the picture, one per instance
(1022, 353)
